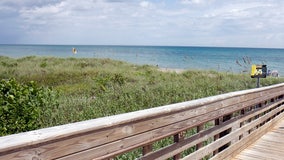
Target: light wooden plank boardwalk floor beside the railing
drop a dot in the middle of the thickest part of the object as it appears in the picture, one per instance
(268, 147)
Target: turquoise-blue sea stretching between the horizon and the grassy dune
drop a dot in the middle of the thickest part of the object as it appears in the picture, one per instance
(208, 58)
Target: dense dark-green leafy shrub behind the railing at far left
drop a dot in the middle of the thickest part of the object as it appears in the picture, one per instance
(21, 106)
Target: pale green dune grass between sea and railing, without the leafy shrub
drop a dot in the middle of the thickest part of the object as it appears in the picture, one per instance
(90, 88)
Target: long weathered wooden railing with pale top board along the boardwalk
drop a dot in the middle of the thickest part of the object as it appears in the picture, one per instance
(217, 127)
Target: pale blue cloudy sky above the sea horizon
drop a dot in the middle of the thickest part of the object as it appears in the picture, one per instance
(221, 23)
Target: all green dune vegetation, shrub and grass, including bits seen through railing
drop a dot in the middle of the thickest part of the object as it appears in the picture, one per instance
(38, 92)
